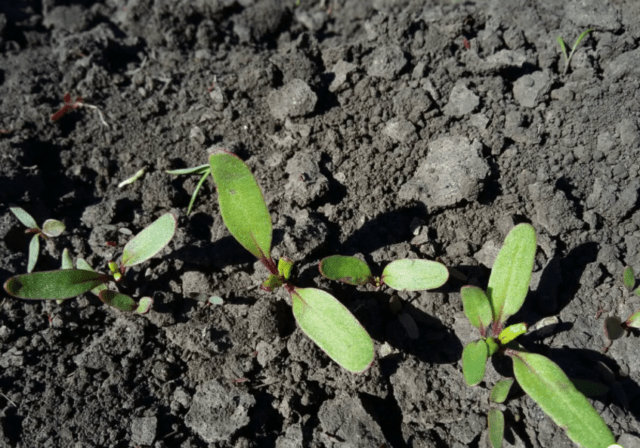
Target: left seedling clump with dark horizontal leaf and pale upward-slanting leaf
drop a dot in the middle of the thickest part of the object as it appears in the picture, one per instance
(68, 282)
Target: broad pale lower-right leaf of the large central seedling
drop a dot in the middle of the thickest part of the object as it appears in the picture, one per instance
(333, 328)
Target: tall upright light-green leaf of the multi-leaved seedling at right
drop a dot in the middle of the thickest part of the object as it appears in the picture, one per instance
(511, 273)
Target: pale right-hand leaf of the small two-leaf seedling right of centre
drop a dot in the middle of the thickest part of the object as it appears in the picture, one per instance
(414, 275)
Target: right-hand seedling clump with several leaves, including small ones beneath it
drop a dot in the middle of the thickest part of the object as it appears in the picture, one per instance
(539, 377)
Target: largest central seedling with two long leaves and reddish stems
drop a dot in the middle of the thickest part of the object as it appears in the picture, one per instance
(325, 320)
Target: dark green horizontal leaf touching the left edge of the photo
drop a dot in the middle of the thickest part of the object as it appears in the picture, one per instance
(62, 284)
